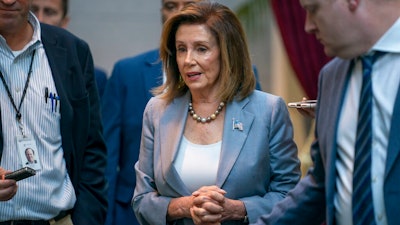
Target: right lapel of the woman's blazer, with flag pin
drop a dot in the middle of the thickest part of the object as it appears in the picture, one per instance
(233, 137)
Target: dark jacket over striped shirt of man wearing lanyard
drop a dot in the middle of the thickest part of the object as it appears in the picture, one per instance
(81, 129)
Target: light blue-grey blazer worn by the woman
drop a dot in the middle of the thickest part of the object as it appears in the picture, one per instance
(258, 165)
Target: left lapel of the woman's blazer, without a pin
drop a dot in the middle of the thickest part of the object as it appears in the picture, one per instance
(171, 128)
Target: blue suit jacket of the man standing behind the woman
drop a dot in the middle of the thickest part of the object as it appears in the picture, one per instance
(126, 95)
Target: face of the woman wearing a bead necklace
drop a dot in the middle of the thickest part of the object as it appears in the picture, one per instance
(198, 58)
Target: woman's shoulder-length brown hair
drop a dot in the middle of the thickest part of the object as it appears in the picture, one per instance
(236, 70)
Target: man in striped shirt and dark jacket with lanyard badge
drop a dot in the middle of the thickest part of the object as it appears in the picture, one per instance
(75, 112)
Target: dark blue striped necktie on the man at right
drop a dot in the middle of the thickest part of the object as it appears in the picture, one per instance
(363, 210)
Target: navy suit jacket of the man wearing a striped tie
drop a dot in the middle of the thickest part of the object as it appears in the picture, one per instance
(312, 201)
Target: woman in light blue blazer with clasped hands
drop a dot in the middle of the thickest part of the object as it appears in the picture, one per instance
(213, 149)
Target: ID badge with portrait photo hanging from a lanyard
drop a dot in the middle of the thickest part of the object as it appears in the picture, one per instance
(28, 153)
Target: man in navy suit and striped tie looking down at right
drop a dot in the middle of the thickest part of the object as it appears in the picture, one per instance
(352, 31)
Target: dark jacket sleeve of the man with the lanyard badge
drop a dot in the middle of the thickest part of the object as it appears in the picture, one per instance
(91, 205)
